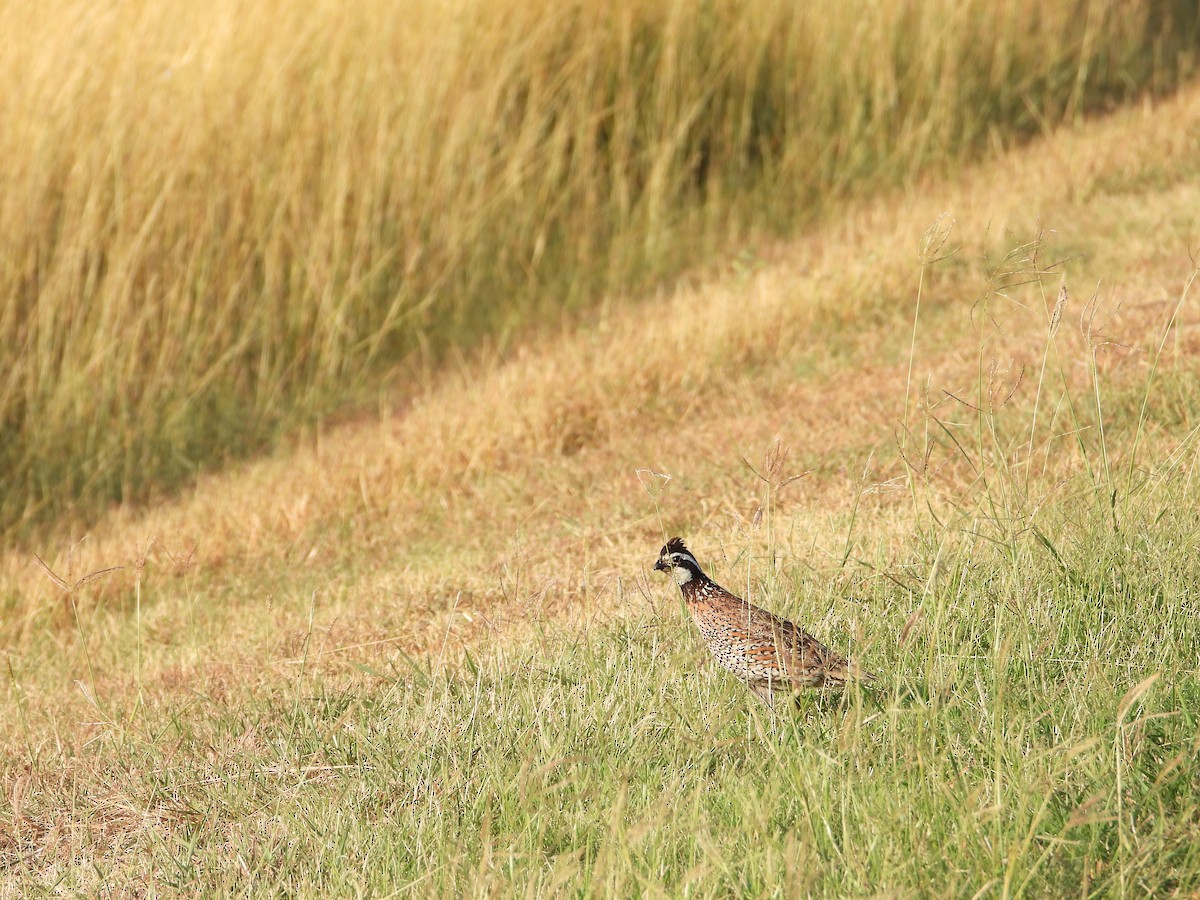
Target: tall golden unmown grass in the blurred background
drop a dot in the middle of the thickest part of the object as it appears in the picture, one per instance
(219, 220)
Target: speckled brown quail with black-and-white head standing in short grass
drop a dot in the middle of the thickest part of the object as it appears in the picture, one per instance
(770, 655)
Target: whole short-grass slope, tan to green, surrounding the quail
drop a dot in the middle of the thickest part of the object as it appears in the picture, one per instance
(425, 653)
